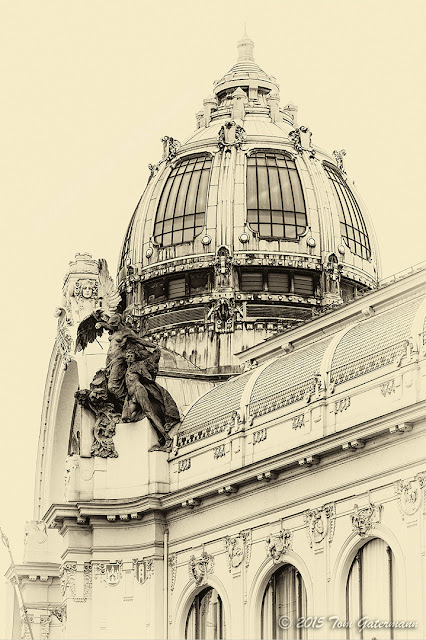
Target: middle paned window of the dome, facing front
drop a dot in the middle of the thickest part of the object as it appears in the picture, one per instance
(275, 202)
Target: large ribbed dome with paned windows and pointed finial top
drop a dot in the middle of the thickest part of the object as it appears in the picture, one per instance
(245, 229)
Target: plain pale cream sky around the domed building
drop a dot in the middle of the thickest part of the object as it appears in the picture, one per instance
(89, 89)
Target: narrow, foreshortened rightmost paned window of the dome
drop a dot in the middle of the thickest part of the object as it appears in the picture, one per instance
(352, 225)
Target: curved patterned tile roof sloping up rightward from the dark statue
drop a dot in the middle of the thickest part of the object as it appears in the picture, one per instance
(291, 377)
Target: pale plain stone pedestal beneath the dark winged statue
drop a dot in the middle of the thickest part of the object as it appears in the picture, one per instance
(137, 471)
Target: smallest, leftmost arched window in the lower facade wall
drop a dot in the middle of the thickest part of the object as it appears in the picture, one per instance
(205, 617)
